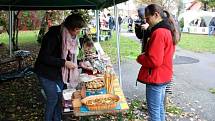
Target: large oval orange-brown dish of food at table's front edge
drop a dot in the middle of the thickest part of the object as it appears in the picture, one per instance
(91, 103)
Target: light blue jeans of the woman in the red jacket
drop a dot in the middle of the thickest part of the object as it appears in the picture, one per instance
(155, 95)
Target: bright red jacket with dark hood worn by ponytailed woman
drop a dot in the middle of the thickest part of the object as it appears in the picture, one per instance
(157, 62)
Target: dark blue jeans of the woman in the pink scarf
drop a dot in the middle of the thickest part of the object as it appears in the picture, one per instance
(53, 98)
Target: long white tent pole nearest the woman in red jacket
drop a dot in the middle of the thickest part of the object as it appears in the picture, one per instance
(118, 42)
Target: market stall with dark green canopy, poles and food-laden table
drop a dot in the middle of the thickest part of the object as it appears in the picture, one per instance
(87, 100)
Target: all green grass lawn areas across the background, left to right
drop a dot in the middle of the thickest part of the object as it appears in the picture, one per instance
(129, 49)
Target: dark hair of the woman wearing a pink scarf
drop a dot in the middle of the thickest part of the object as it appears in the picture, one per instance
(74, 21)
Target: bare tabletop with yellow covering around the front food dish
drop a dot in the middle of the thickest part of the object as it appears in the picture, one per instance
(121, 106)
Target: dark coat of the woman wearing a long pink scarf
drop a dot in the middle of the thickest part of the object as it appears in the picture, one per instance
(49, 62)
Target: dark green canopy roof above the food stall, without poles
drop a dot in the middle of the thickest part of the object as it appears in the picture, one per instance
(56, 4)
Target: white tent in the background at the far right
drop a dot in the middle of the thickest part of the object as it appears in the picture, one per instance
(193, 15)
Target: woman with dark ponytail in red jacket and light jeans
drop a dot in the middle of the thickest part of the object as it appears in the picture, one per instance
(157, 63)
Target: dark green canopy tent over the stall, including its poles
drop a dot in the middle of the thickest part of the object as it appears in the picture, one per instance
(63, 5)
